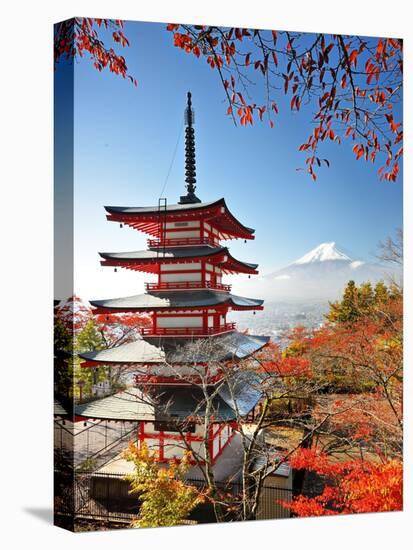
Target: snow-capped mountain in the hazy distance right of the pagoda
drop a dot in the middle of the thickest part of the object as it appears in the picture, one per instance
(321, 274)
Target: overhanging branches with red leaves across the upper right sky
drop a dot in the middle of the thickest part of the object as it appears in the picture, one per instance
(347, 85)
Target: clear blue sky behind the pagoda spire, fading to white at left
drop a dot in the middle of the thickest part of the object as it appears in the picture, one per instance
(124, 142)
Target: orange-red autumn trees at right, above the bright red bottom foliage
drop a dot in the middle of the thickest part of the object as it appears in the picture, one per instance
(362, 360)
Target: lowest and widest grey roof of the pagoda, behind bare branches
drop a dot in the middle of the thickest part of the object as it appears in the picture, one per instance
(177, 402)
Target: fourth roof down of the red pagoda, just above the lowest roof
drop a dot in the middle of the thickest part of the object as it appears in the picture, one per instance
(157, 350)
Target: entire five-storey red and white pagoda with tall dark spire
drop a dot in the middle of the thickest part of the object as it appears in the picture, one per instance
(188, 304)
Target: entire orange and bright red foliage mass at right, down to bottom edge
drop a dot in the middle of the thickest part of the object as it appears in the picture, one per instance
(362, 340)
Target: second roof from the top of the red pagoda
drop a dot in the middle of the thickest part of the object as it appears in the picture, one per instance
(149, 260)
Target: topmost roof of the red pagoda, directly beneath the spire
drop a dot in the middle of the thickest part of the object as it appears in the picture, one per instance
(146, 218)
